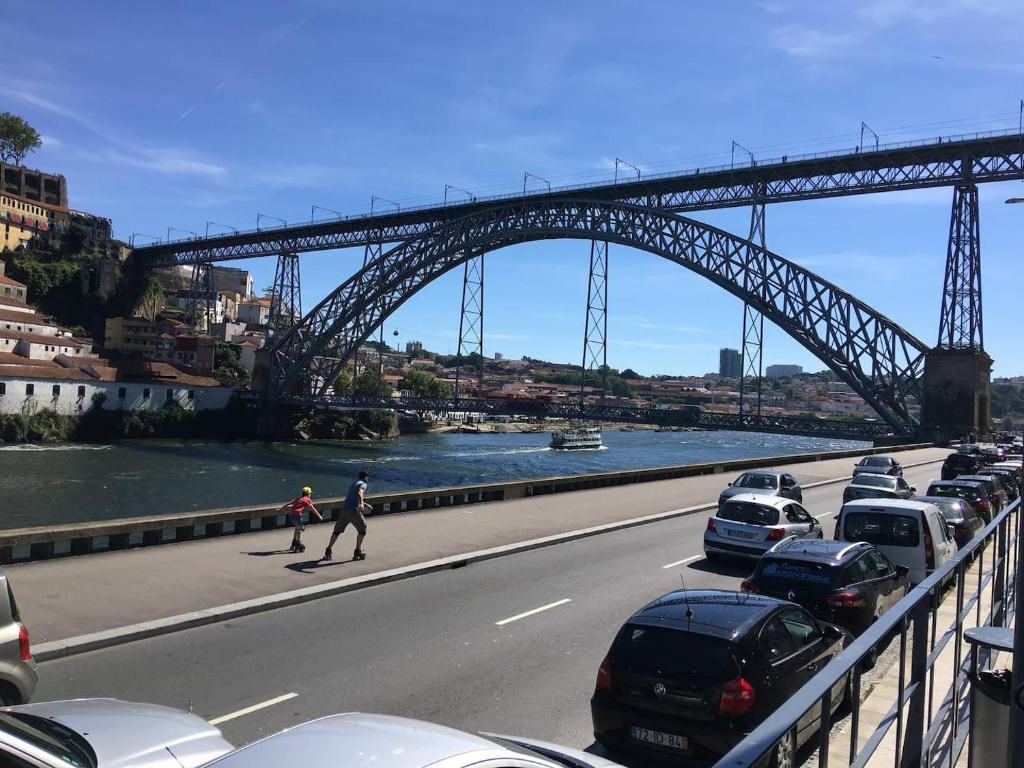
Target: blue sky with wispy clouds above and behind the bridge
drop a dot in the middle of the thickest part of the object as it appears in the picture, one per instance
(179, 114)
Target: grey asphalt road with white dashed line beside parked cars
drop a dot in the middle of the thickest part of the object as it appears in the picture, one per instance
(451, 648)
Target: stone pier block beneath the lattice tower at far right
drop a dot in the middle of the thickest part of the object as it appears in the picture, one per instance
(957, 400)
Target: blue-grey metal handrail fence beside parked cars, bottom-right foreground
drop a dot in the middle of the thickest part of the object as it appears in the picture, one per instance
(928, 724)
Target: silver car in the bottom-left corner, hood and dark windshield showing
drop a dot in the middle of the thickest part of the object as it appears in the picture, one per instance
(101, 733)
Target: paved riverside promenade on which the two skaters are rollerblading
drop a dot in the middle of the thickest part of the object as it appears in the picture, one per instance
(74, 596)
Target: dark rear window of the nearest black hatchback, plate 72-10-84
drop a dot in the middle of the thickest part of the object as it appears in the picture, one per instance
(673, 654)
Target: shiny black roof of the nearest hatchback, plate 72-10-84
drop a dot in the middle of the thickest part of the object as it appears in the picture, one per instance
(721, 614)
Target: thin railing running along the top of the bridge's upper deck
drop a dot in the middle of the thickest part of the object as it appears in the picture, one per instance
(607, 184)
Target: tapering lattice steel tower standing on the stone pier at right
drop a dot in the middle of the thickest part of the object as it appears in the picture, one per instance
(961, 323)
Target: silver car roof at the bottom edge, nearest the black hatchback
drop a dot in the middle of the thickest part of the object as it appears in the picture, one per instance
(358, 739)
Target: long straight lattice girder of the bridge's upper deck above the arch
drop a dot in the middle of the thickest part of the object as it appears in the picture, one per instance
(992, 158)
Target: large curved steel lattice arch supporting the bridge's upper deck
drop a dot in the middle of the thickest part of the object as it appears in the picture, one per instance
(878, 359)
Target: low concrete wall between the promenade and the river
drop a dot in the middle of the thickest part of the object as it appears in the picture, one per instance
(23, 545)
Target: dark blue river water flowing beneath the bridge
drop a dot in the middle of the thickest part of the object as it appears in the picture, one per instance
(51, 485)
